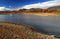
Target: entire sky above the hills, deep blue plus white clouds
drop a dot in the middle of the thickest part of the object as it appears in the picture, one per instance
(27, 4)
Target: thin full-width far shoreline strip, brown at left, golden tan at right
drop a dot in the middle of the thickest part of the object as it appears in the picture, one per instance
(38, 14)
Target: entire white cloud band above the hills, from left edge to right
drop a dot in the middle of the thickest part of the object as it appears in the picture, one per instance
(43, 5)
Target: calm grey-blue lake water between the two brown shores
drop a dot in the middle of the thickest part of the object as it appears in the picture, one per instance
(45, 24)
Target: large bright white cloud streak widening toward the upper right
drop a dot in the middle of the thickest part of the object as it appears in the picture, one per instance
(43, 5)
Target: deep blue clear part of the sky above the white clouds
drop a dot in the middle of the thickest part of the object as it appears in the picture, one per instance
(18, 3)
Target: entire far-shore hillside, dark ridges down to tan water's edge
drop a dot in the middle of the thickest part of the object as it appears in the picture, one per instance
(52, 11)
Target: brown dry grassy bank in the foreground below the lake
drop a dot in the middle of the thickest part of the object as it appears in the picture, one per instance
(19, 31)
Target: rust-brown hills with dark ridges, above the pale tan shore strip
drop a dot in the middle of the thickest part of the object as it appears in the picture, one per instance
(32, 10)
